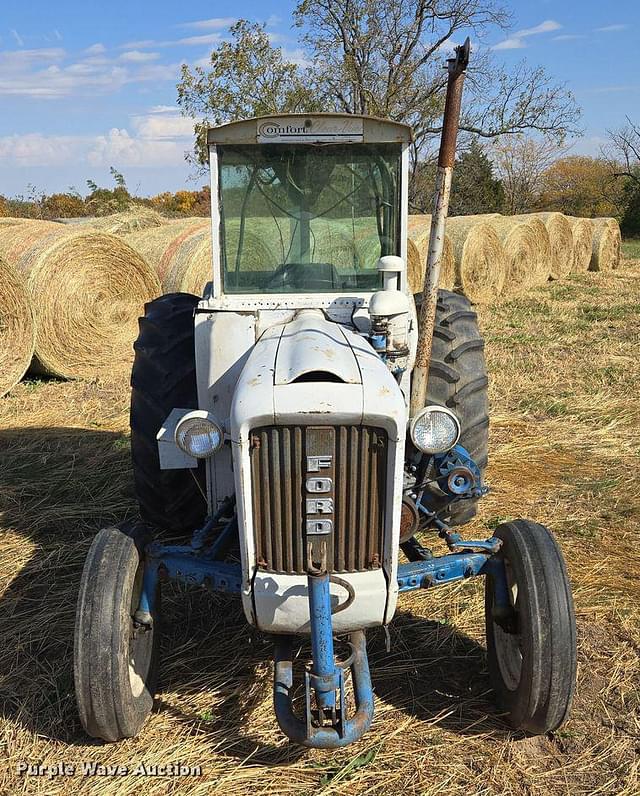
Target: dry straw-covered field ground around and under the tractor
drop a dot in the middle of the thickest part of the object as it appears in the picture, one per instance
(564, 450)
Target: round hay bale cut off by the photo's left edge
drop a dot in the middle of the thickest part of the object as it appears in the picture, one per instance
(17, 327)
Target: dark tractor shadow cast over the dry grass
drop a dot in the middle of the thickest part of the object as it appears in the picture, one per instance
(58, 488)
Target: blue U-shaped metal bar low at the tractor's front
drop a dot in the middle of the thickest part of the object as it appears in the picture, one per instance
(327, 737)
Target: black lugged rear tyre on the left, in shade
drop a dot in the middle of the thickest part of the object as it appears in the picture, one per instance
(164, 378)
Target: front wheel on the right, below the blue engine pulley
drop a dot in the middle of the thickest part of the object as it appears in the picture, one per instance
(531, 643)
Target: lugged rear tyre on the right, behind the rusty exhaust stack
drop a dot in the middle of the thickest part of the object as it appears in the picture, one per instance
(458, 379)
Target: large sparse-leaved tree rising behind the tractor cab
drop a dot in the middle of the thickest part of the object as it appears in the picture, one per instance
(378, 58)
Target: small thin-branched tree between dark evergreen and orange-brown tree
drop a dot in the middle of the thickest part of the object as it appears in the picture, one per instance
(520, 162)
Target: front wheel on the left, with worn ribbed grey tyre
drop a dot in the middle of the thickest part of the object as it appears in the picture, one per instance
(115, 658)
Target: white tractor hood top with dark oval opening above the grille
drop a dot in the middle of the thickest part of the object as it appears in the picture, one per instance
(312, 371)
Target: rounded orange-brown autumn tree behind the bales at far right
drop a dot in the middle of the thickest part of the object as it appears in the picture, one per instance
(581, 186)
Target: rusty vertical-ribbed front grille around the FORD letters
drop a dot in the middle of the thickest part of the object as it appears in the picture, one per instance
(353, 459)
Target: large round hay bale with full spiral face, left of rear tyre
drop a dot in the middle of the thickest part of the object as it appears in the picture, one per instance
(87, 289)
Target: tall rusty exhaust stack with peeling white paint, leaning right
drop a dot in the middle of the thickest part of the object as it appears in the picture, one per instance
(456, 67)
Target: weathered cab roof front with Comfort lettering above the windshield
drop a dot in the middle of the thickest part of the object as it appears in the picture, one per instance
(311, 128)
